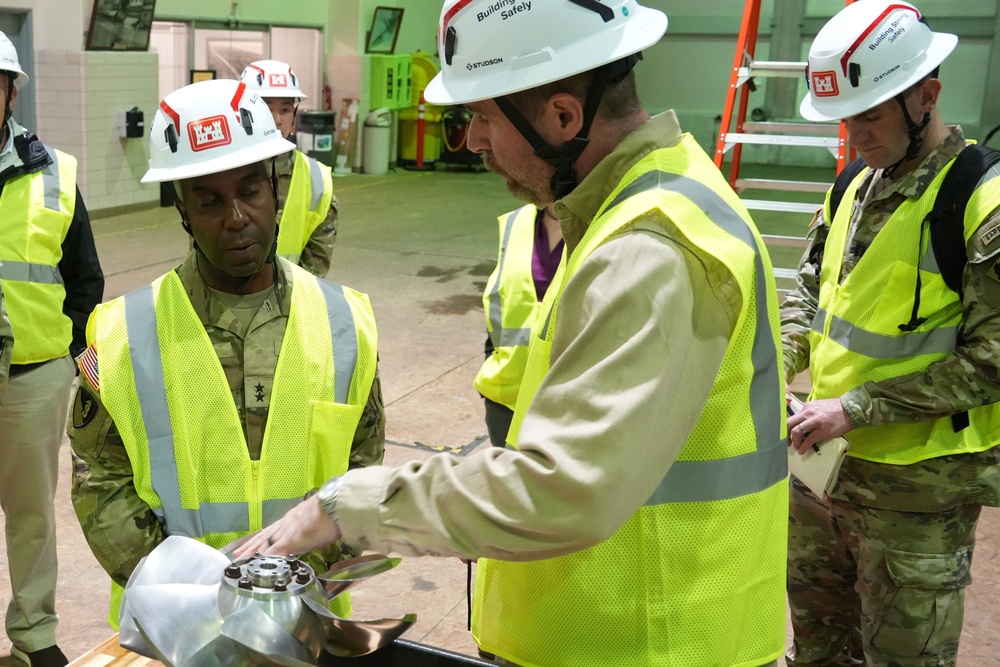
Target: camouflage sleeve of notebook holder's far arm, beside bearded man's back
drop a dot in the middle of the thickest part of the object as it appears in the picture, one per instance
(800, 305)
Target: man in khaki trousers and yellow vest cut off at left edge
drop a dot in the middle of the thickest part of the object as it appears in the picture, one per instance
(51, 280)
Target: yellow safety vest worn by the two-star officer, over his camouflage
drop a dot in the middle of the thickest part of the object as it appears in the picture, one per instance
(174, 410)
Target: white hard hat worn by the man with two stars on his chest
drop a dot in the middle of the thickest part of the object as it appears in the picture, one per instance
(209, 127)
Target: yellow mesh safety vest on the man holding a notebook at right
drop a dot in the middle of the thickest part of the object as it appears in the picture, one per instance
(855, 335)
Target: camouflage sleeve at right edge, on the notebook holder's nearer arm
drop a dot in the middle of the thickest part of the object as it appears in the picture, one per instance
(967, 378)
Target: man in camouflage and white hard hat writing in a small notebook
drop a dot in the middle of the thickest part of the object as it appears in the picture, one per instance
(903, 365)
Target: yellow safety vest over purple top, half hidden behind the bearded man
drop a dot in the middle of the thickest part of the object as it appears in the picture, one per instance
(511, 304)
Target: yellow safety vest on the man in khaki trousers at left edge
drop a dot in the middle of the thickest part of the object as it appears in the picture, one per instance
(35, 214)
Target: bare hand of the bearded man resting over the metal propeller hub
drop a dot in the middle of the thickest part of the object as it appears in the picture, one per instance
(304, 528)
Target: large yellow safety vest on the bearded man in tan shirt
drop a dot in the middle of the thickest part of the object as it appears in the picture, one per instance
(696, 577)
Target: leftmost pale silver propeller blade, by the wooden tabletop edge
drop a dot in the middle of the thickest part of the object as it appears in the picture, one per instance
(176, 620)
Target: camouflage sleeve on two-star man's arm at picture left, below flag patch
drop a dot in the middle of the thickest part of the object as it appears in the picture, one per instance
(119, 526)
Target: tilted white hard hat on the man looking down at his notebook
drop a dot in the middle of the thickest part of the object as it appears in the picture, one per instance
(868, 53)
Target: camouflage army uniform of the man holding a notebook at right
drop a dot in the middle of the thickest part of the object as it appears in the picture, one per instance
(880, 574)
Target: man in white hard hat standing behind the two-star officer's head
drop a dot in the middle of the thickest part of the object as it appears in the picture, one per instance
(307, 207)
